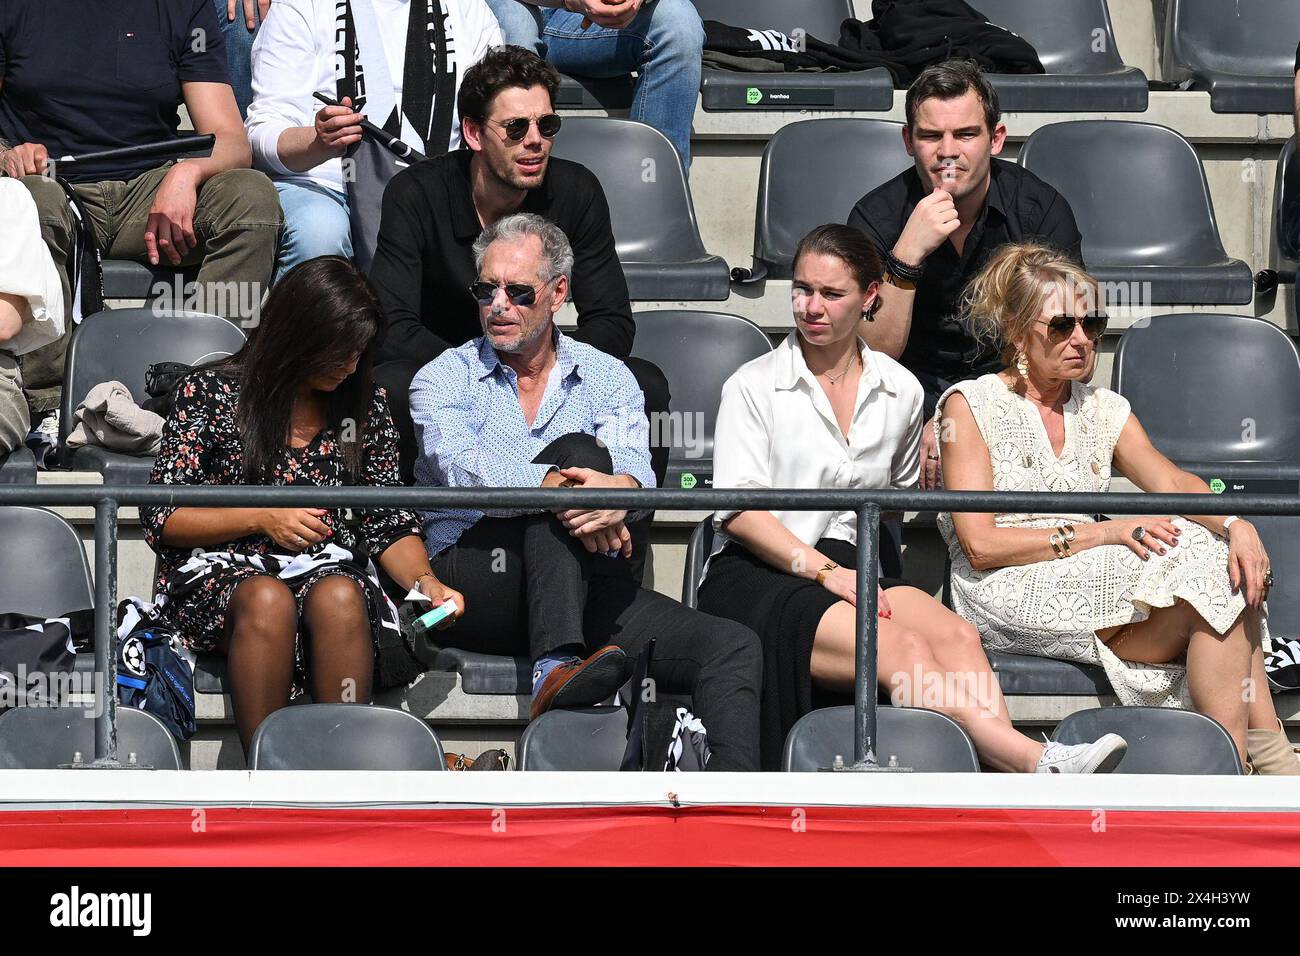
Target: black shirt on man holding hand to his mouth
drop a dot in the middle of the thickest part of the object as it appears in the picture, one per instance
(1020, 206)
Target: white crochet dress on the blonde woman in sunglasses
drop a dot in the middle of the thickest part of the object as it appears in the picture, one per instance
(1055, 608)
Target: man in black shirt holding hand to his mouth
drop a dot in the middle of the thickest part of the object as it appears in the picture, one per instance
(941, 222)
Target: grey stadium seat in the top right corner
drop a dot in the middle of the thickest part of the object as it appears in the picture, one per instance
(1242, 53)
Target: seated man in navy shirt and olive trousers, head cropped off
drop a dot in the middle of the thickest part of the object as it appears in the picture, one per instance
(80, 77)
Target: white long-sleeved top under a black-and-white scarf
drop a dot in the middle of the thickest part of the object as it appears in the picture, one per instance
(293, 58)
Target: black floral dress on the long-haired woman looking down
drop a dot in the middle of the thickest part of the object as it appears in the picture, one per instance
(202, 447)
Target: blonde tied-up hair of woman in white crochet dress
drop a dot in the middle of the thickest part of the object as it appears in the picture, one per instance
(1006, 300)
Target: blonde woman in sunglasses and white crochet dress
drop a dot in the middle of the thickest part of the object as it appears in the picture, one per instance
(1172, 608)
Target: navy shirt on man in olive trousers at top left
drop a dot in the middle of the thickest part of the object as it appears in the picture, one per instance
(83, 76)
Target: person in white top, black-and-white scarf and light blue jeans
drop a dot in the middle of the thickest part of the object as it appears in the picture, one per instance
(344, 50)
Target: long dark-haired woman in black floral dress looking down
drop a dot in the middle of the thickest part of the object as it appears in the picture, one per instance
(294, 406)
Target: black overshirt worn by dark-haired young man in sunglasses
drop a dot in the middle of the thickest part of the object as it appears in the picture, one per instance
(424, 262)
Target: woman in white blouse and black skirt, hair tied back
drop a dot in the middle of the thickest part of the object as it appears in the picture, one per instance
(826, 412)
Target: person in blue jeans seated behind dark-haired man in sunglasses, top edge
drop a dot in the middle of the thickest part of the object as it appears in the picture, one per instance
(662, 41)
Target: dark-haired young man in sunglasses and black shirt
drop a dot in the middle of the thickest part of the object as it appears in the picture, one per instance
(424, 263)
